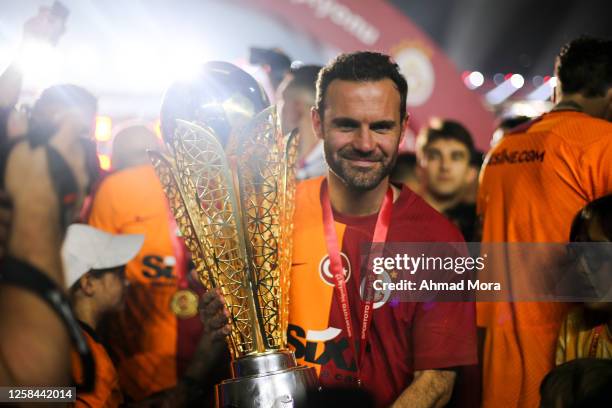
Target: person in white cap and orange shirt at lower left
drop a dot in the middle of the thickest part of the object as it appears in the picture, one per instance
(94, 264)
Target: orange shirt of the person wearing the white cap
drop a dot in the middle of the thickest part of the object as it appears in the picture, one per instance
(106, 393)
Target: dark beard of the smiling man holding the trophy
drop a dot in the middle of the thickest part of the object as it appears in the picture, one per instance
(359, 180)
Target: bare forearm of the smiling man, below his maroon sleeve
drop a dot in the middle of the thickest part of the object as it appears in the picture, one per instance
(429, 389)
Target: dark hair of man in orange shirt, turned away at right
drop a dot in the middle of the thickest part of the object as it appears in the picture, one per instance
(584, 66)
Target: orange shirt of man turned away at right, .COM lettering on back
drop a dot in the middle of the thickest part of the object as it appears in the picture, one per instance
(532, 185)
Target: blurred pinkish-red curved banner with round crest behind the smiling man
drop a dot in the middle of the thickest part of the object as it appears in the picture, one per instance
(435, 87)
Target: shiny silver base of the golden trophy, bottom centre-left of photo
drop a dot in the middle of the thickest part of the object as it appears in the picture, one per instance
(267, 380)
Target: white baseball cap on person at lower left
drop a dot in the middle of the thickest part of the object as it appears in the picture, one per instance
(86, 248)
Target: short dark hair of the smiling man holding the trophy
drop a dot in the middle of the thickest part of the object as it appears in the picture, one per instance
(363, 66)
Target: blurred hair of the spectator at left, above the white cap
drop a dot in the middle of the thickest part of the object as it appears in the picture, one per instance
(67, 96)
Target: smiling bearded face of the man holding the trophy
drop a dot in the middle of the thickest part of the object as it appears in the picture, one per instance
(361, 130)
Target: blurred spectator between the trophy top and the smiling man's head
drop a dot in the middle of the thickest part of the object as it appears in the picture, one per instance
(295, 98)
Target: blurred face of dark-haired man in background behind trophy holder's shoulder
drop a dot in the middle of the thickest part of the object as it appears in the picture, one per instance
(446, 164)
